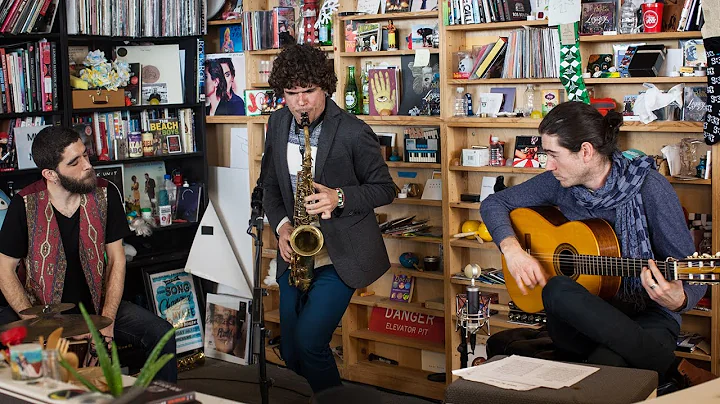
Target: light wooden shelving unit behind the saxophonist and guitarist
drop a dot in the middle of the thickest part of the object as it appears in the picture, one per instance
(447, 215)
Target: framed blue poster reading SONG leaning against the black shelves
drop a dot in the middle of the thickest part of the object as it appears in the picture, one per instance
(174, 296)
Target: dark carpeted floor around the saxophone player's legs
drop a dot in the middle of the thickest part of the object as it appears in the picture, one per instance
(240, 383)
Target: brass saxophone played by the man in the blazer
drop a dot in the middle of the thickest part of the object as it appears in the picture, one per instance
(307, 239)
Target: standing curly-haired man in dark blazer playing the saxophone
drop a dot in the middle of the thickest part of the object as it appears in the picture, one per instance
(347, 178)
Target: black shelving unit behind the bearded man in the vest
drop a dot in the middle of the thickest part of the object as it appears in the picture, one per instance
(165, 241)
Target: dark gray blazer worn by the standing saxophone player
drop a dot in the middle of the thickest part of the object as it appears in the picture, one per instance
(348, 157)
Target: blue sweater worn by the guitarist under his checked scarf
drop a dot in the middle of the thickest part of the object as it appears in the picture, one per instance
(669, 234)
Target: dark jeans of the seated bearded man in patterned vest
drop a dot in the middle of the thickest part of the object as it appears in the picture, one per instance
(135, 325)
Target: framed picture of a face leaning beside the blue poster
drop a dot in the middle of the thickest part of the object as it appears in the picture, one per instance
(227, 328)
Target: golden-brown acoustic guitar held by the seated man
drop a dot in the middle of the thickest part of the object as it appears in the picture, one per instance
(588, 252)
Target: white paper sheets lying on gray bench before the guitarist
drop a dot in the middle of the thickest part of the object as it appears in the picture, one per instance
(521, 373)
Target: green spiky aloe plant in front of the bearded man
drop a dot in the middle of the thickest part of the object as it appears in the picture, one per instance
(111, 365)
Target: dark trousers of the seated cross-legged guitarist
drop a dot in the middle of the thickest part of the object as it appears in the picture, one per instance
(585, 325)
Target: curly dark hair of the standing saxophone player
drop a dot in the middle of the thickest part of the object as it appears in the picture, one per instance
(302, 66)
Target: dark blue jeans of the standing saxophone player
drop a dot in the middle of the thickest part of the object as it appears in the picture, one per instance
(307, 323)
